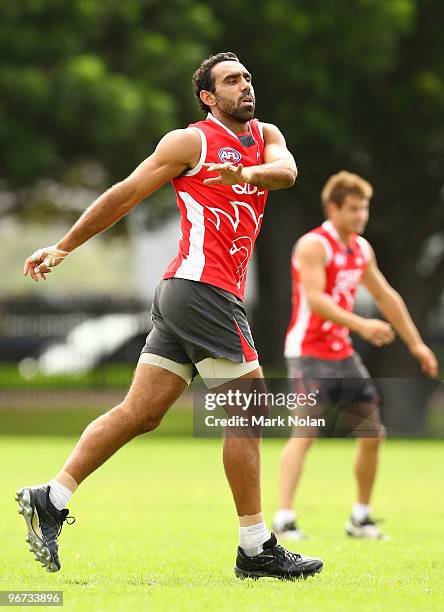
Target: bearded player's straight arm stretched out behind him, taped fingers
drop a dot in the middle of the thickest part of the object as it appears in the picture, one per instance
(175, 153)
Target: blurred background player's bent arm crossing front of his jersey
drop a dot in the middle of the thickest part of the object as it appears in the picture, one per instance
(310, 255)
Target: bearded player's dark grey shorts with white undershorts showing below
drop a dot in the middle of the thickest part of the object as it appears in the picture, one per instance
(199, 328)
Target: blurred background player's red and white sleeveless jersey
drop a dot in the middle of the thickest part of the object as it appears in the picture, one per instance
(308, 333)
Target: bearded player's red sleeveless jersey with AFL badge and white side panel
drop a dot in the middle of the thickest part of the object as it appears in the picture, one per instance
(219, 223)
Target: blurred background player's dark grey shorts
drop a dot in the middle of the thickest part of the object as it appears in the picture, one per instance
(345, 389)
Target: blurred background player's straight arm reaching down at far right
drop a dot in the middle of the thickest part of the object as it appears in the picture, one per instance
(393, 307)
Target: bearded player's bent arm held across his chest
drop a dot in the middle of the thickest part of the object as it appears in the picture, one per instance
(278, 172)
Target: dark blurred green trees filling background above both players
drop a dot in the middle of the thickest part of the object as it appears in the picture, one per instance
(87, 88)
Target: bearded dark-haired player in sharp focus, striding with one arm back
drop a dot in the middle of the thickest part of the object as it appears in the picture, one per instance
(221, 169)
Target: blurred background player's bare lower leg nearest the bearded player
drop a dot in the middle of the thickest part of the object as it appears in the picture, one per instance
(292, 462)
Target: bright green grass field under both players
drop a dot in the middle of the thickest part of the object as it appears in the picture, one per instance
(156, 529)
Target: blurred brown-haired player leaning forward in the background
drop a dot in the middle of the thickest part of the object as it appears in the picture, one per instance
(328, 264)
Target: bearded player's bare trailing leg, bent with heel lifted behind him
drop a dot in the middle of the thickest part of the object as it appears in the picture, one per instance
(151, 394)
